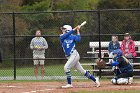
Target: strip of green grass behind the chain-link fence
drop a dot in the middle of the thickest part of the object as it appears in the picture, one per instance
(50, 70)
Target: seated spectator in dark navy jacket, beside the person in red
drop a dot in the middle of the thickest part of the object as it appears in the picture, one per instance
(113, 45)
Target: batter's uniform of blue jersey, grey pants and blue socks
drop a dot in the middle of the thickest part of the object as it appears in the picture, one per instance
(68, 41)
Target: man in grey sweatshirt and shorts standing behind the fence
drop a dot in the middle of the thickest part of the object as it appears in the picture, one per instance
(38, 45)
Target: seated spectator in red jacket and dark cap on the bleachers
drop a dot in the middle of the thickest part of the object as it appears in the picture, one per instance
(128, 47)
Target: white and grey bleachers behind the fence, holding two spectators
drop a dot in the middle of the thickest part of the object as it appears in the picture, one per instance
(95, 51)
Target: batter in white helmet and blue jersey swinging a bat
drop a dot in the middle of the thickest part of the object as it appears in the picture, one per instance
(68, 41)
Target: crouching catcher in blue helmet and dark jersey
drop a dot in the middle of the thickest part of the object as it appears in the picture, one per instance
(123, 70)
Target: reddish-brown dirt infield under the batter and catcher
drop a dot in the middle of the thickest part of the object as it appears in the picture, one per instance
(55, 87)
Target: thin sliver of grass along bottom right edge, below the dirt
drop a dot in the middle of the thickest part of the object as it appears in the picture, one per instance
(122, 91)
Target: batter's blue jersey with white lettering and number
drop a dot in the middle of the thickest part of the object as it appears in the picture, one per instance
(68, 41)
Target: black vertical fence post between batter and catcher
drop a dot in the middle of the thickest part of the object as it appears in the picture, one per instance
(99, 35)
